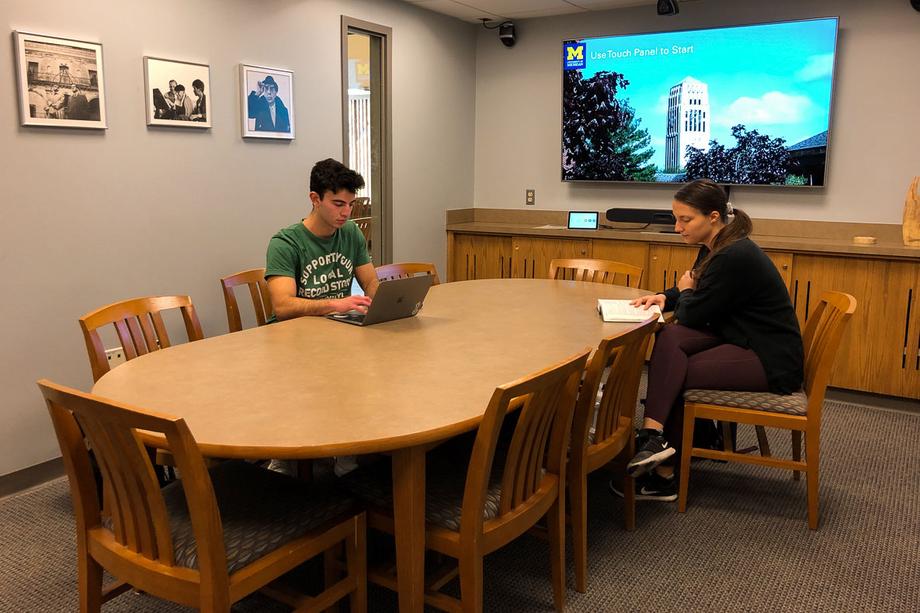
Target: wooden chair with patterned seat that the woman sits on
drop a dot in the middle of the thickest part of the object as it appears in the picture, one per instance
(799, 412)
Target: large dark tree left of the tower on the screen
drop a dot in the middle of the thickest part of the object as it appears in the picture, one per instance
(601, 136)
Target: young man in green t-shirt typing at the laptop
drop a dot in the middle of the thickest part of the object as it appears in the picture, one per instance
(310, 265)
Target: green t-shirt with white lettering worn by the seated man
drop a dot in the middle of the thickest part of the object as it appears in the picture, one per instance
(322, 267)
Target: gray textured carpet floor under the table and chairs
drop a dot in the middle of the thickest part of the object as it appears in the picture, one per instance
(743, 545)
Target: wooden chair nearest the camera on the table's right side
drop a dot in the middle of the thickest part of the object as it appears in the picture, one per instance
(481, 499)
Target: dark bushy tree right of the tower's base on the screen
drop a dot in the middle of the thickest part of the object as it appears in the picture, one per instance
(755, 159)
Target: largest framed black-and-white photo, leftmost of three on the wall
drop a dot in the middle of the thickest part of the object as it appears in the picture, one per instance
(60, 82)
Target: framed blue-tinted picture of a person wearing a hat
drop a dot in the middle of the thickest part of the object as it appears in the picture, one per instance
(267, 102)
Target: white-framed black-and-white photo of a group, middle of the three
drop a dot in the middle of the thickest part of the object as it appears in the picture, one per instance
(178, 93)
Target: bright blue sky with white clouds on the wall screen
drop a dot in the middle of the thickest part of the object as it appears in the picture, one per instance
(775, 78)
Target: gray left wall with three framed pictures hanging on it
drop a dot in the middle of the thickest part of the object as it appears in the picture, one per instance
(91, 217)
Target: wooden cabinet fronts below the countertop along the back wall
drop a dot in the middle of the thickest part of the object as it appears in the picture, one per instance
(880, 352)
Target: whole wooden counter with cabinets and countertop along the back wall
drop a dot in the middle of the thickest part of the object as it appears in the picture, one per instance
(881, 351)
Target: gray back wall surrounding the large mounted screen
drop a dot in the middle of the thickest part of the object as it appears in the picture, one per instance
(874, 130)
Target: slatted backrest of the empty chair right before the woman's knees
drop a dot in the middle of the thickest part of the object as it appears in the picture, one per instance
(621, 357)
